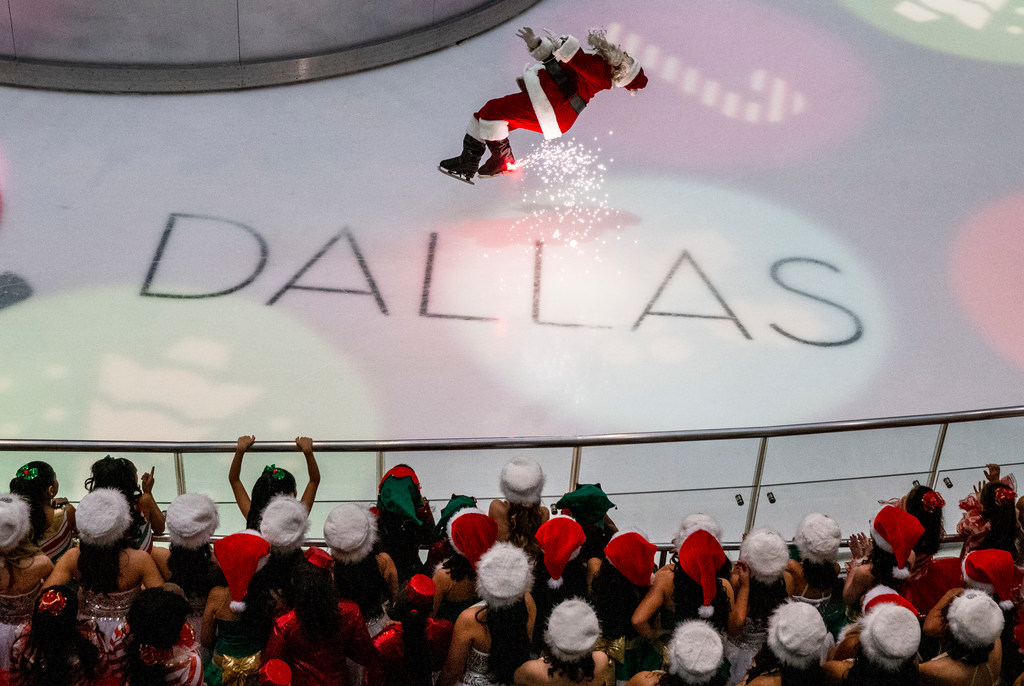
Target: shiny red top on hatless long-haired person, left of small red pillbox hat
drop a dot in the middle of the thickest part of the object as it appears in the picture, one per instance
(324, 663)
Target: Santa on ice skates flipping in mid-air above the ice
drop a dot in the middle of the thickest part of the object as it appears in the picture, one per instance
(552, 96)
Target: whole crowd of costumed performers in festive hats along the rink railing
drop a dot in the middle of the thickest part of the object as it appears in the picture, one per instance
(522, 594)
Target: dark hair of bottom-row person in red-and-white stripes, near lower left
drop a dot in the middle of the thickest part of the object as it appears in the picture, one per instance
(156, 620)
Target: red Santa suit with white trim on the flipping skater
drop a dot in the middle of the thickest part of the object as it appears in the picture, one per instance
(543, 107)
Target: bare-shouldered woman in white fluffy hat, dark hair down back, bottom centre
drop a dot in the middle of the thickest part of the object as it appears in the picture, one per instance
(492, 638)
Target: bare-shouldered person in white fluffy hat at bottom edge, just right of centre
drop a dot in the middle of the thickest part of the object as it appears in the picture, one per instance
(569, 658)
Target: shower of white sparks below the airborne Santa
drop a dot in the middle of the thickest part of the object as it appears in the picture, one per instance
(564, 196)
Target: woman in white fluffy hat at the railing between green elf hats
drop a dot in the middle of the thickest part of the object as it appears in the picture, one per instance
(521, 514)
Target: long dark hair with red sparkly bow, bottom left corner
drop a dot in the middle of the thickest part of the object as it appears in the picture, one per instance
(56, 645)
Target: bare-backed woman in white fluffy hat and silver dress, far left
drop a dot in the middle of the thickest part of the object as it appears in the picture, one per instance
(110, 572)
